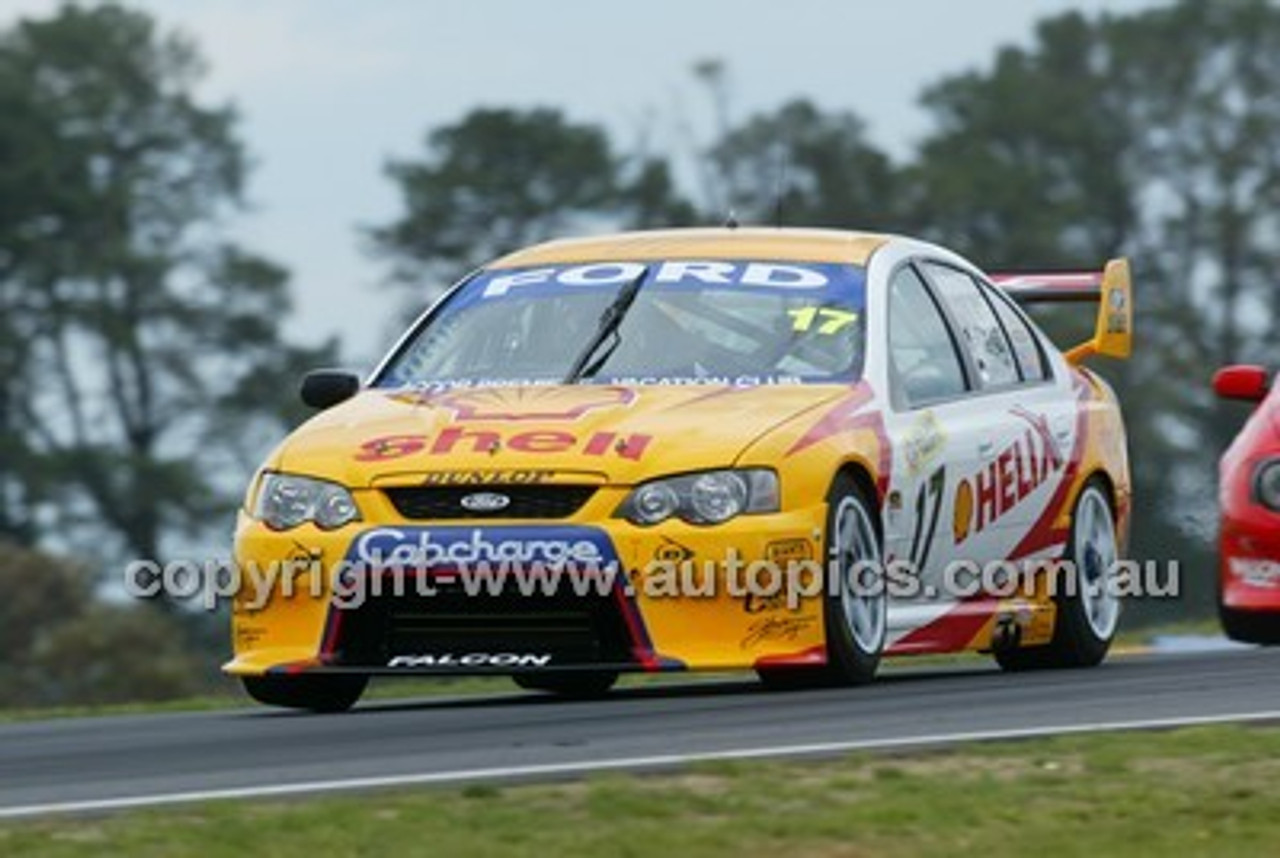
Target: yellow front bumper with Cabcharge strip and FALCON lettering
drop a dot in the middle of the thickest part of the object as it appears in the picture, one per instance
(679, 596)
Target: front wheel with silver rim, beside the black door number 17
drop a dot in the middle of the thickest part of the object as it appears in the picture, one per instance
(856, 614)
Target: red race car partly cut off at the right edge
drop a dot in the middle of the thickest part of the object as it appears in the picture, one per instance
(1250, 495)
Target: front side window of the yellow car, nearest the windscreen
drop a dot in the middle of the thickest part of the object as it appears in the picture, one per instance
(922, 353)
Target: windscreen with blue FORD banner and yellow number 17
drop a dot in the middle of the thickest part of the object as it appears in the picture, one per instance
(691, 322)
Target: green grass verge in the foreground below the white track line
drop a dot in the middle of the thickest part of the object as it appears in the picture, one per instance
(1204, 792)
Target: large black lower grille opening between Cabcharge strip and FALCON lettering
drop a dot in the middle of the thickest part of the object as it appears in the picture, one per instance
(573, 629)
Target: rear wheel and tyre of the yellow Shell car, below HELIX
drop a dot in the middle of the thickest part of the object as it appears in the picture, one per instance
(1089, 609)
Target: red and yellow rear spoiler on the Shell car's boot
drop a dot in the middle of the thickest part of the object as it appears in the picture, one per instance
(1112, 289)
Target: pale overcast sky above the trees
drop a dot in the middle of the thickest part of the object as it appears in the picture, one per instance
(331, 89)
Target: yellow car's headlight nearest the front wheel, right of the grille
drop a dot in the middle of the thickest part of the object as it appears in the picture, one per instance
(710, 498)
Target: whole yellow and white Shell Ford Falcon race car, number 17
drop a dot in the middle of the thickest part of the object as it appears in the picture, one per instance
(779, 450)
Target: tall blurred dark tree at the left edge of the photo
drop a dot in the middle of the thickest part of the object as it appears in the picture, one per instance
(129, 320)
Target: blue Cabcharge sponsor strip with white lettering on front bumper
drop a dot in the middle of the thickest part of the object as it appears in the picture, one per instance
(426, 549)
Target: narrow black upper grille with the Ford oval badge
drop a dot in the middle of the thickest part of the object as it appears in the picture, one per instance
(440, 503)
